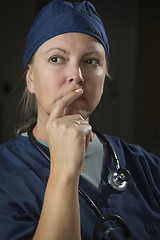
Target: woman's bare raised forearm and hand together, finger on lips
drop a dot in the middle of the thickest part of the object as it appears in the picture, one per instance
(60, 216)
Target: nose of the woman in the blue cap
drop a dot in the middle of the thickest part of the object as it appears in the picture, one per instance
(75, 75)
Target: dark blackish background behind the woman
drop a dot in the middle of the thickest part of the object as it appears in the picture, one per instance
(130, 104)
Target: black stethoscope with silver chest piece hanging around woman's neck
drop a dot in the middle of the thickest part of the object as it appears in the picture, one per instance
(118, 181)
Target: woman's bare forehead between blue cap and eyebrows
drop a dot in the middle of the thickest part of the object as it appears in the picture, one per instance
(73, 41)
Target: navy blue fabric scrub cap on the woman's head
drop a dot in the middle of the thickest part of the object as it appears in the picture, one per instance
(59, 17)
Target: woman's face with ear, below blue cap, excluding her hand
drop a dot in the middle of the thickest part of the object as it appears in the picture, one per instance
(63, 64)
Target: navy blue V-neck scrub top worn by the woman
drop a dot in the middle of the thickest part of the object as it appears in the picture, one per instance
(23, 178)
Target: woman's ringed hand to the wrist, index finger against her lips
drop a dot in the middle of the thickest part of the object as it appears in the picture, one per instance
(67, 140)
